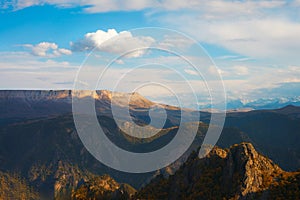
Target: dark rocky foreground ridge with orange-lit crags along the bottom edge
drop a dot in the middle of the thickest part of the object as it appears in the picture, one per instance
(239, 172)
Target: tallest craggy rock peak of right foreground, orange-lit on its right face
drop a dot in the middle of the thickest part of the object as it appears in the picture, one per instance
(246, 165)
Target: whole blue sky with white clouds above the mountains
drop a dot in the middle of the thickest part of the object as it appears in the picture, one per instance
(251, 47)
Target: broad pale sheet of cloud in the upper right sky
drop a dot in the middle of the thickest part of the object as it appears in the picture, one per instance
(272, 36)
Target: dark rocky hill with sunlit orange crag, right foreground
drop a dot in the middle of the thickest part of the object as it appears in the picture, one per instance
(235, 173)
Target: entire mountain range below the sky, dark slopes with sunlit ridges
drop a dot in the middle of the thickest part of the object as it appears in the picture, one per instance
(41, 152)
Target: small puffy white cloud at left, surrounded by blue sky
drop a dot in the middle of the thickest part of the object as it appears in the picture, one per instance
(47, 49)
